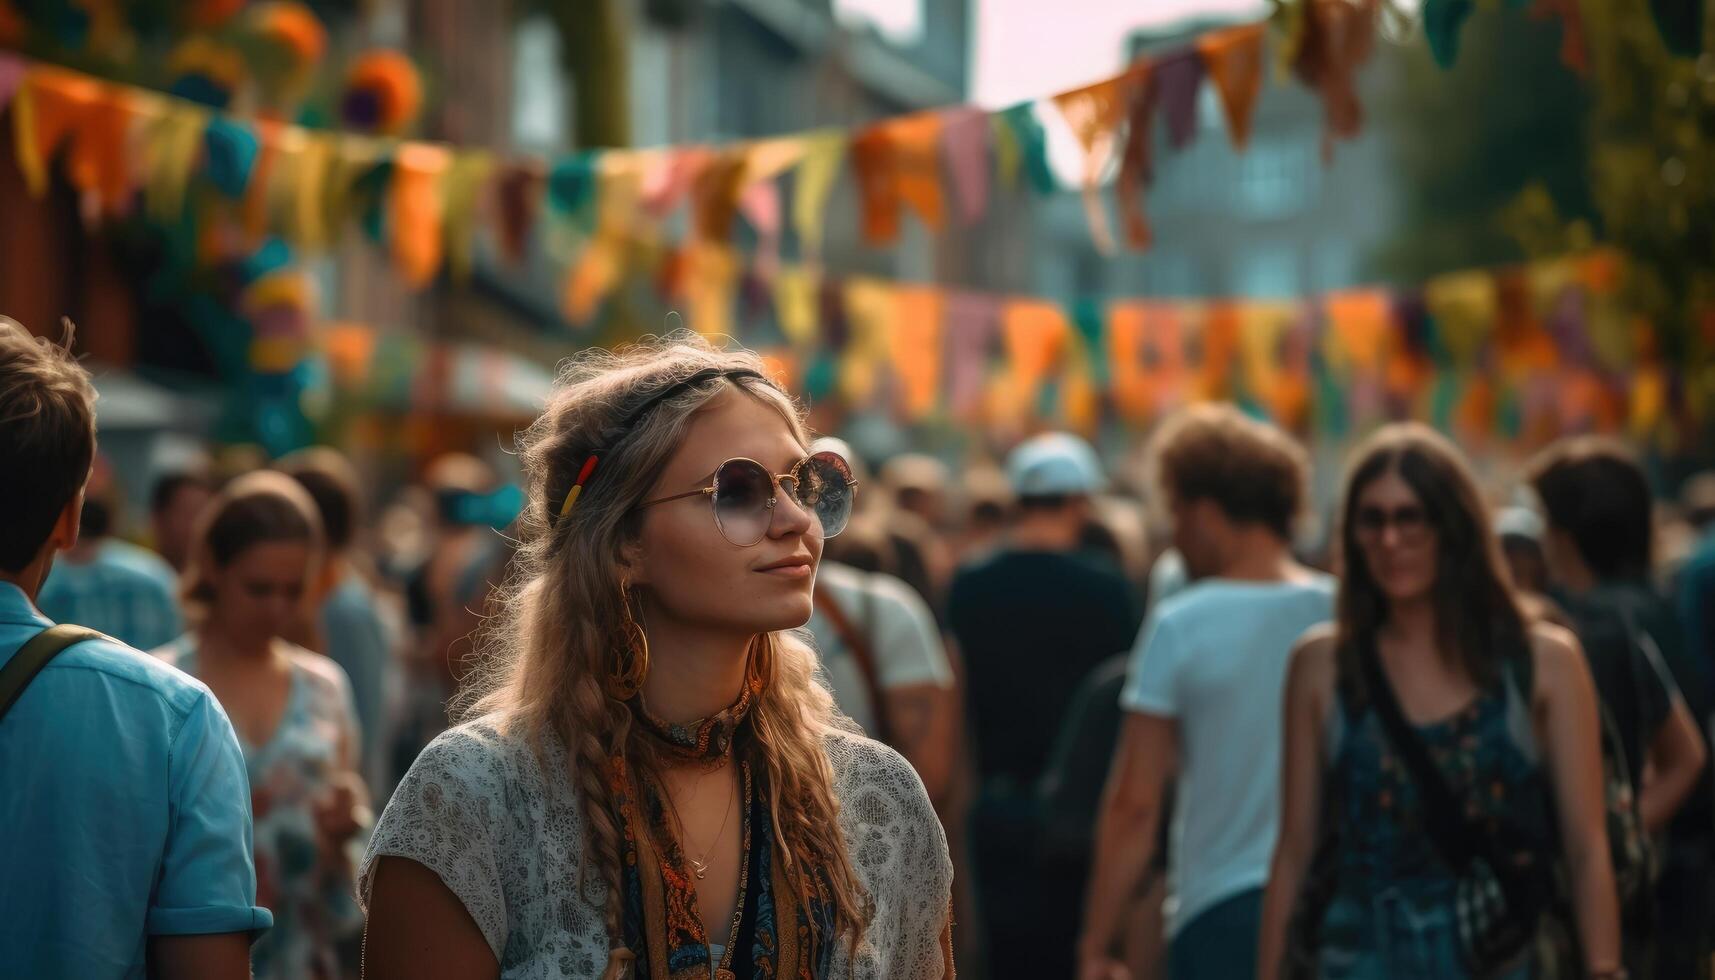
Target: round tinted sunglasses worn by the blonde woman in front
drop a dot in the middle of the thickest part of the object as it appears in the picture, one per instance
(745, 495)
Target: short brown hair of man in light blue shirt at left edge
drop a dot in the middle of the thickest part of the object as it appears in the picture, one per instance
(47, 439)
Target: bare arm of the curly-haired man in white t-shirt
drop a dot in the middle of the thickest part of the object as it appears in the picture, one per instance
(1126, 835)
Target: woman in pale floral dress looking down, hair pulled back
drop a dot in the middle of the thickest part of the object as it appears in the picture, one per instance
(253, 560)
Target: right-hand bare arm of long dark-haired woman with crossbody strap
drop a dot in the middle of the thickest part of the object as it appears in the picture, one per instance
(1567, 706)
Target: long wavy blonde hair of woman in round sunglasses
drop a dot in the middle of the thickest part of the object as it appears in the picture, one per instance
(550, 656)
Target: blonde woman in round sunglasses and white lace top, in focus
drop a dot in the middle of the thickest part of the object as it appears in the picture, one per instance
(649, 782)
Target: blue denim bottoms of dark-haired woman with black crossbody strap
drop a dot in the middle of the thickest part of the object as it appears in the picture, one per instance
(1395, 935)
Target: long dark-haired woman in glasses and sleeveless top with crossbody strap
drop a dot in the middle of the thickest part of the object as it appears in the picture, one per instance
(1436, 744)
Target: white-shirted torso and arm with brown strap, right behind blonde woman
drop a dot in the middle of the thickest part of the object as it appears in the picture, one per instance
(888, 667)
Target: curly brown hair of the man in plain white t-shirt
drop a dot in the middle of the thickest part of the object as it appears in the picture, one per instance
(1249, 469)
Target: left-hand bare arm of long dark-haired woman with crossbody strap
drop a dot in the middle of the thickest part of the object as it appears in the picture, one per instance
(1309, 699)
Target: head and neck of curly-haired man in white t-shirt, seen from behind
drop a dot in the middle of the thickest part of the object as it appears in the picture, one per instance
(1220, 471)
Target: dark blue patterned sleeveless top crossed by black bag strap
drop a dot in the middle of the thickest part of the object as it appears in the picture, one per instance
(1488, 751)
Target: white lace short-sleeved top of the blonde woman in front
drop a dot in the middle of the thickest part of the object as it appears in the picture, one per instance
(507, 838)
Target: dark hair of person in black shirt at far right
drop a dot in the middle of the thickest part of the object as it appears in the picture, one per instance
(1596, 492)
